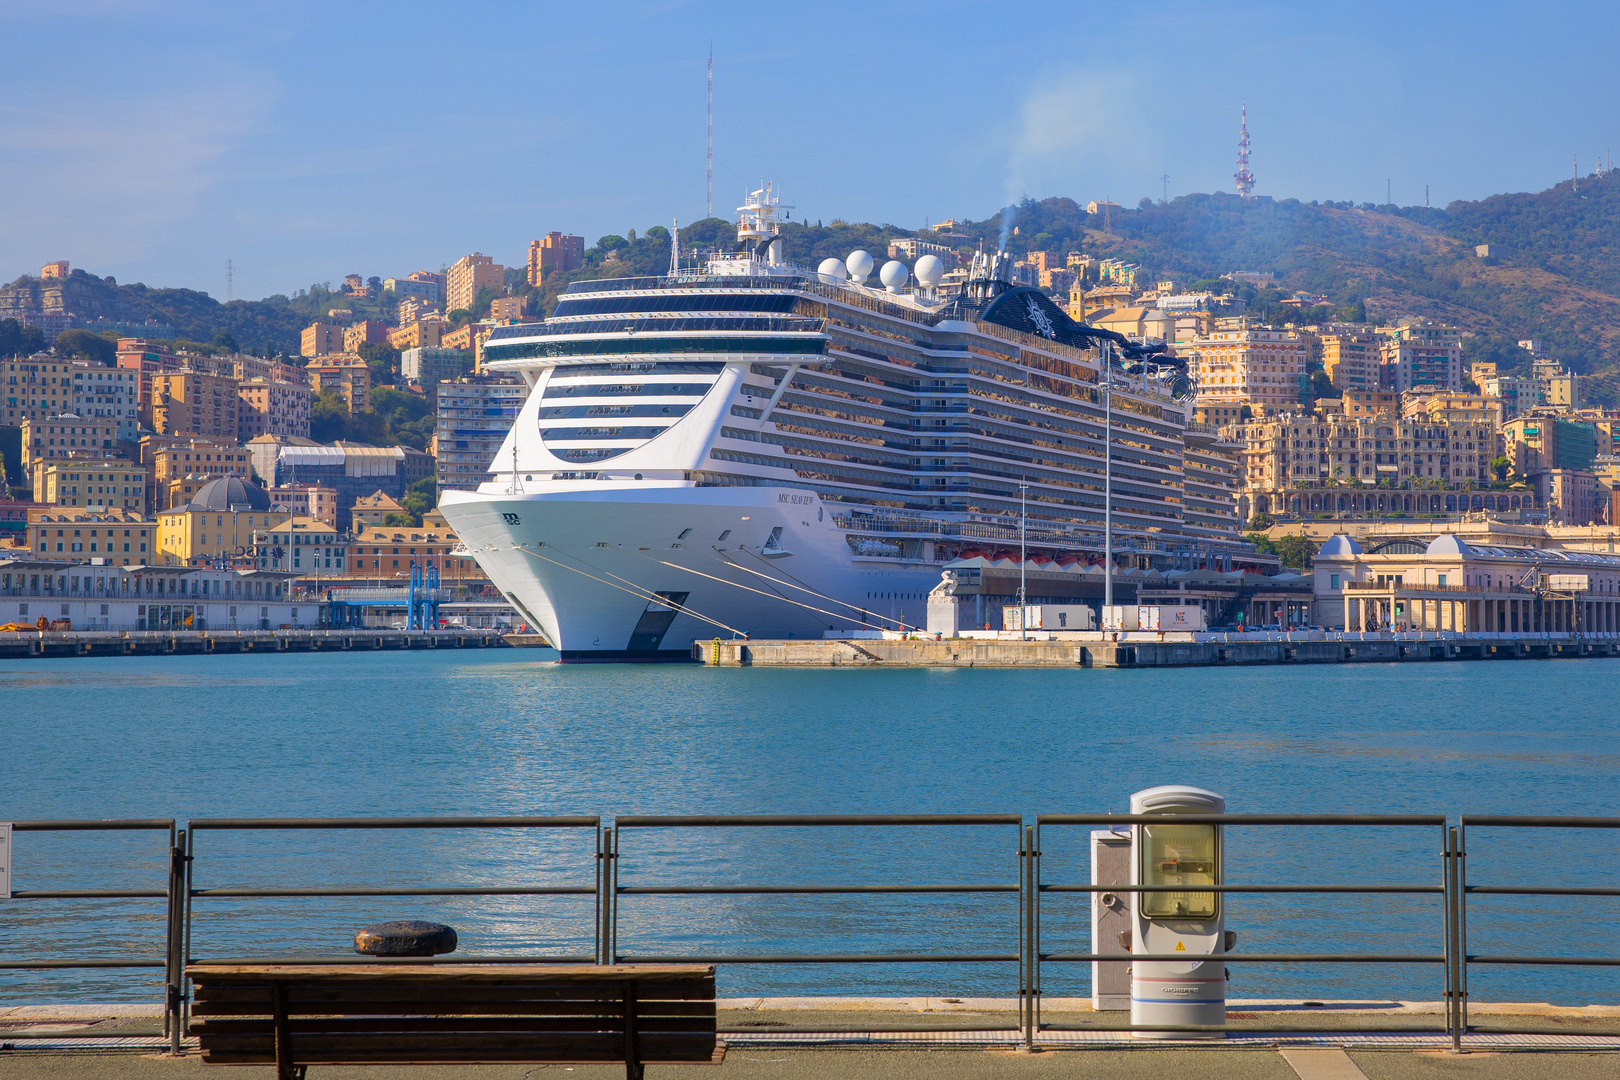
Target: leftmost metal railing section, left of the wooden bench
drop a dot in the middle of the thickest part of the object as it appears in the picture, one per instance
(173, 893)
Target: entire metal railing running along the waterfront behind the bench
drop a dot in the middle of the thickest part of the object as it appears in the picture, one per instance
(1036, 901)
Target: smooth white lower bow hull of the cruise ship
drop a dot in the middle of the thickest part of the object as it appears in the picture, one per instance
(584, 568)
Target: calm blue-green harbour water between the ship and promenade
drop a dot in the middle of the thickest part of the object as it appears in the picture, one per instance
(505, 734)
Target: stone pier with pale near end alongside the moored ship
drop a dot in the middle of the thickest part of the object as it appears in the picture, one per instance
(1153, 650)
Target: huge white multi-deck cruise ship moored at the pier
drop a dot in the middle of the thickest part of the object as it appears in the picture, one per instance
(746, 448)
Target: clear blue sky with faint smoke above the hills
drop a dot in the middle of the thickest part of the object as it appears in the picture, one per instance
(156, 140)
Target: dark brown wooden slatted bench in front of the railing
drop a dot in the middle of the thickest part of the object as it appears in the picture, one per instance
(438, 1014)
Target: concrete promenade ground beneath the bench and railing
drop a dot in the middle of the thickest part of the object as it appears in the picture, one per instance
(33, 1045)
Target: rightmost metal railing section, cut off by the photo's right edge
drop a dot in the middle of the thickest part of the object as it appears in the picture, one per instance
(1459, 929)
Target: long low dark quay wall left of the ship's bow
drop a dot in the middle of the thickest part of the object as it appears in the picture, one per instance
(69, 644)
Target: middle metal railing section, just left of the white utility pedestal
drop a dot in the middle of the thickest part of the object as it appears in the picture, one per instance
(822, 822)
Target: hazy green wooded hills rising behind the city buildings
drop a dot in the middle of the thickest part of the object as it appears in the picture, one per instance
(1553, 273)
